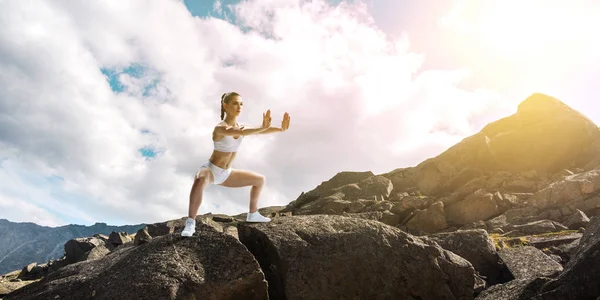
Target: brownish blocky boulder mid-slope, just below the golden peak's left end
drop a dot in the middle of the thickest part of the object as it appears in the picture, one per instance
(478, 206)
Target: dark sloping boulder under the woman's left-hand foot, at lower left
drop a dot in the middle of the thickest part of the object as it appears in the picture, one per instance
(212, 266)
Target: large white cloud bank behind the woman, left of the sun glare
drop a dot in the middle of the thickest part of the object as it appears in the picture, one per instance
(355, 96)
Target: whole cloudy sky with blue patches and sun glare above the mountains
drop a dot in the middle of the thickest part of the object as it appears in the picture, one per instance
(107, 107)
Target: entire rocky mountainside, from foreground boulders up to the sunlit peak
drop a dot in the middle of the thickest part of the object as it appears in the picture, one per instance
(511, 212)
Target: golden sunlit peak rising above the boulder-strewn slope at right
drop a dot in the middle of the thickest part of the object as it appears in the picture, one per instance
(541, 122)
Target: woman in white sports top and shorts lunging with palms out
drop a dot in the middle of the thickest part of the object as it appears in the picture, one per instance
(227, 137)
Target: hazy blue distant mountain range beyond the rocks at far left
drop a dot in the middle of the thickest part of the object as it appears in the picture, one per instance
(24, 243)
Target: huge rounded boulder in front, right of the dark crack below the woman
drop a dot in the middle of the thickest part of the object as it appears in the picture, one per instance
(336, 257)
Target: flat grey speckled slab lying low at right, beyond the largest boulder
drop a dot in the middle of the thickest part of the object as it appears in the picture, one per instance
(529, 262)
